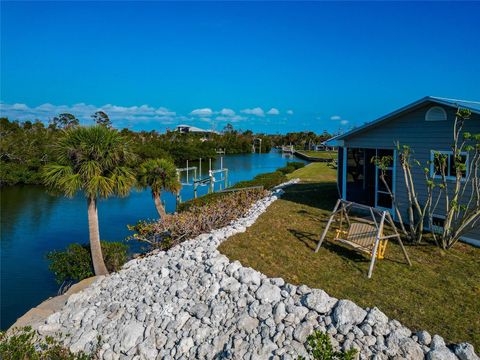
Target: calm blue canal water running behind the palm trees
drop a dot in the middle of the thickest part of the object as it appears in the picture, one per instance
(34, 223)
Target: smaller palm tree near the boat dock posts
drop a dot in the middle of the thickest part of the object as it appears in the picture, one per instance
(160, 175)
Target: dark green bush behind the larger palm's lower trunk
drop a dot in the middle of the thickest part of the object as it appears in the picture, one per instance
(75, 262)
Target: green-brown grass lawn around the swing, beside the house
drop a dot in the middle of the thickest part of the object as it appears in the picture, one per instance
(439, 293)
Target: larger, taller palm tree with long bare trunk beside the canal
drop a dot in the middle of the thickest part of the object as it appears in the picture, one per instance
(92, 160)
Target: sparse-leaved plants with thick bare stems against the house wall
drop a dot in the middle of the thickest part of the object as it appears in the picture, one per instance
(452, 182)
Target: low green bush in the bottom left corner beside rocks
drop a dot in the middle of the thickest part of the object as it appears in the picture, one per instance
(23, 344)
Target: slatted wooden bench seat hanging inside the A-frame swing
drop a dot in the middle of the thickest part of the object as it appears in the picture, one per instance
(361, 237)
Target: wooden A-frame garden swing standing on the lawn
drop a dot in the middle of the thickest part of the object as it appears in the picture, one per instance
(364, 234)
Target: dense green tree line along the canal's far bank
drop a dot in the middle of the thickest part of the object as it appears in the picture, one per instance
(27, 146)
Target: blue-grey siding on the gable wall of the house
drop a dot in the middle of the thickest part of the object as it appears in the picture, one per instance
(410, 128)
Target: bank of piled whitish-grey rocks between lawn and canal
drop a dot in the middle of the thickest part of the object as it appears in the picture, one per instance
(192, 302)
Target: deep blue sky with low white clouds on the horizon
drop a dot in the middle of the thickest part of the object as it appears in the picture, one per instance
(272, 67)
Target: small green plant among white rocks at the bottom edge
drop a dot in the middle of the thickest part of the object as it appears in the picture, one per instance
(320, 348)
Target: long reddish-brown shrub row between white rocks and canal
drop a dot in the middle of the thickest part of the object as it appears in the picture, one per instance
(175, 228)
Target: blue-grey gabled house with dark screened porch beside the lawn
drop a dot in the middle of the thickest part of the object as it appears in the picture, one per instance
(426, 126)
